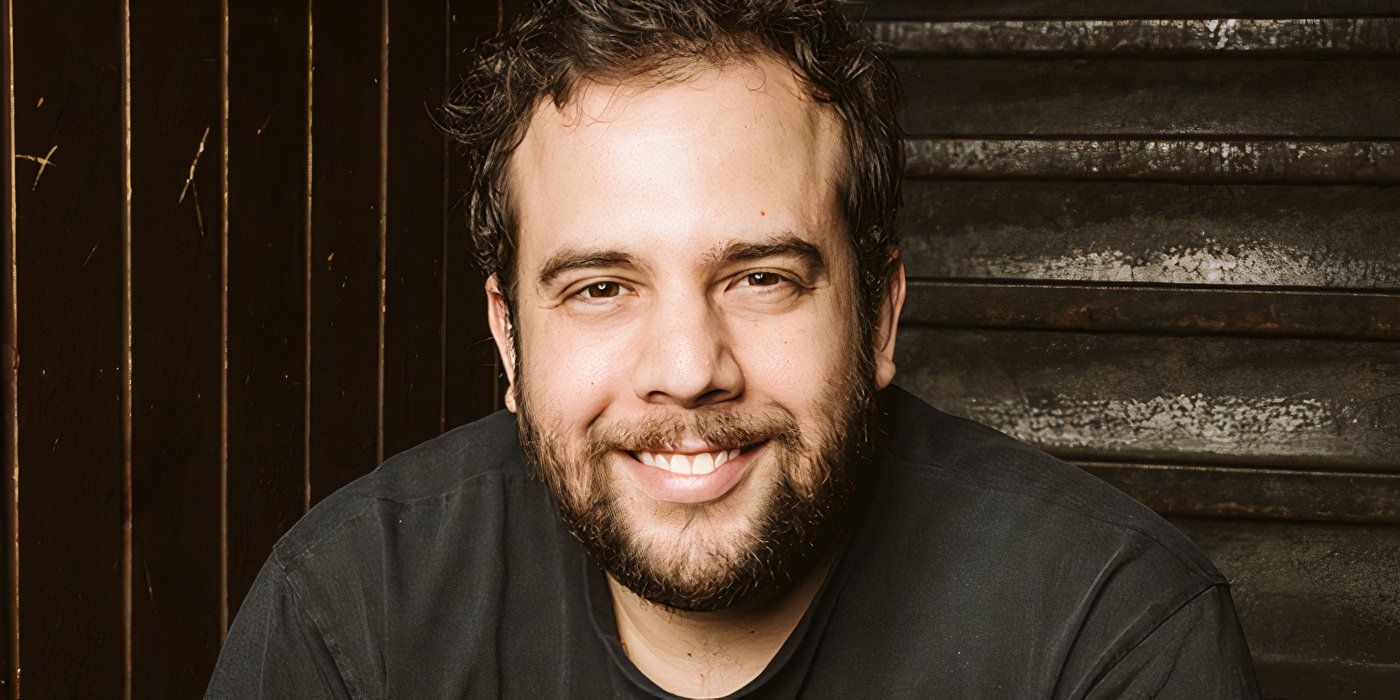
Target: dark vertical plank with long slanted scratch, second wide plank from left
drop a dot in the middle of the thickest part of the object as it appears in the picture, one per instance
(177, 365)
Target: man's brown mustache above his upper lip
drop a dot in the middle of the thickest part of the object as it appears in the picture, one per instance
(720, 428)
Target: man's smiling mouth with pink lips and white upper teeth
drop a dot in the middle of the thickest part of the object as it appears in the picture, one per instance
(695, 475)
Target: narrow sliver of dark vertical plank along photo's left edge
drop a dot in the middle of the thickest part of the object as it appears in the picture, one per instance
(10, 363)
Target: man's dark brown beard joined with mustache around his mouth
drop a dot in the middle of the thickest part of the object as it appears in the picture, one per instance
(804, 513)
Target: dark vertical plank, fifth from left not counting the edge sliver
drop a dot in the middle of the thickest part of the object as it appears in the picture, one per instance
(416, 212)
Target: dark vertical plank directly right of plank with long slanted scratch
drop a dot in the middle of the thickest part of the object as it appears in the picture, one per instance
(268, 160)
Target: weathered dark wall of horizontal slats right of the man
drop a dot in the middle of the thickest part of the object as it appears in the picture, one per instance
(1161, 239)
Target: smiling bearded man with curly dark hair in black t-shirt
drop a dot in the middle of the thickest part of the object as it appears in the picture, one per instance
(710, 486)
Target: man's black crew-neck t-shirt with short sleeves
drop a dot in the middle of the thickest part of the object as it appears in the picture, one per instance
(981, 568)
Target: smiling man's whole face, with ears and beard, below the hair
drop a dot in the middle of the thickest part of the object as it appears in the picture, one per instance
(691, 377)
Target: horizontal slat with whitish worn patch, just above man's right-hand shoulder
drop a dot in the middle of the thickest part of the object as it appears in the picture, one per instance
(1188, 400)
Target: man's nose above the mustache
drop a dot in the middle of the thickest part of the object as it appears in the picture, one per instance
(685, 359)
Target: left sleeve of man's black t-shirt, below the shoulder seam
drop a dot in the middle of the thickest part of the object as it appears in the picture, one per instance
(274, 649)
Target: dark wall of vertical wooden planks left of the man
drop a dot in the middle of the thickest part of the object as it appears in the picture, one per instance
(236, 278)
